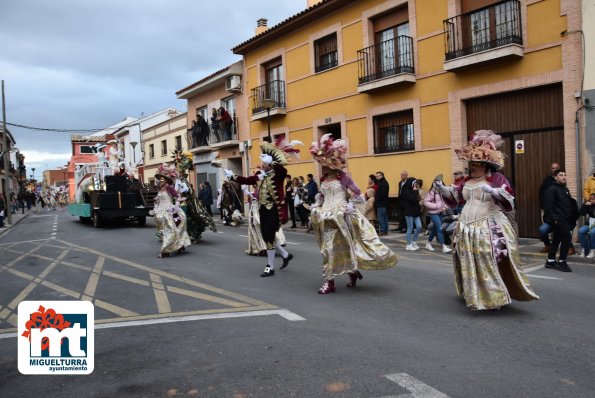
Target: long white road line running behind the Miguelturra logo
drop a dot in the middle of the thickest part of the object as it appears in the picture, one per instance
(290, 316)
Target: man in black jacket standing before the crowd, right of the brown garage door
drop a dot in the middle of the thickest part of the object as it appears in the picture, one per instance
(560, 212)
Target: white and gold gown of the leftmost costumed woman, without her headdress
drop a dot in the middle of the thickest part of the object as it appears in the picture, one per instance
(173, 236)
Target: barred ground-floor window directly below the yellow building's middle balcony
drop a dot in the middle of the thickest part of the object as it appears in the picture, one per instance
(394, 132)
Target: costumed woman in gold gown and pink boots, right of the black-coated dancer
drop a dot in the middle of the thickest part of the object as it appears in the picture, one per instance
(348, 242)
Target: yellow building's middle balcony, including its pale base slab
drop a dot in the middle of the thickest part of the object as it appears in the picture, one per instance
(386, 64)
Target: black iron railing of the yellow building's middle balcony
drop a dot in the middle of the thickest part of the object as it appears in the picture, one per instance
(389, 58)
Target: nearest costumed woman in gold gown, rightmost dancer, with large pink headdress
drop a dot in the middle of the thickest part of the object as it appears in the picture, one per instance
(486, 252)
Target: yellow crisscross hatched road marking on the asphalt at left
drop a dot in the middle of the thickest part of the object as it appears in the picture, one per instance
(161, 283)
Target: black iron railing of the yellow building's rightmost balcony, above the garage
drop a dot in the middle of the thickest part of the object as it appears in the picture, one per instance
(484, 29)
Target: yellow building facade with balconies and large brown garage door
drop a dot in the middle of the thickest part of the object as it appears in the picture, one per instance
(406, 82)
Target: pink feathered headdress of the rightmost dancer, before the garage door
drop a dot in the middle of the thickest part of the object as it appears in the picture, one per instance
(483, 147)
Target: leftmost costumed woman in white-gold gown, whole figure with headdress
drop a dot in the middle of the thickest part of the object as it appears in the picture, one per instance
(169, 217)
